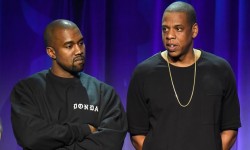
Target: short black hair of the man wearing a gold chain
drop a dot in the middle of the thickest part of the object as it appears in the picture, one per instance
(180, 6)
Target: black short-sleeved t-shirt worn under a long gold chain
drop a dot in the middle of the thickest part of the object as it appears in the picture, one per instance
(153, 110)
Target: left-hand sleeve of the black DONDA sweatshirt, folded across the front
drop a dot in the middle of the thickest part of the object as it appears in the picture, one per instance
(31, 130)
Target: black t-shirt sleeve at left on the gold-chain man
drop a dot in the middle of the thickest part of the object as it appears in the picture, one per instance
(137, 112)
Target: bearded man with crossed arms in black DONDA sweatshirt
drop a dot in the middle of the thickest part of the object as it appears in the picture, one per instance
(64, 108)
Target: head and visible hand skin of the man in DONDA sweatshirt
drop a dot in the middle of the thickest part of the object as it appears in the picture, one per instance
(67, 51)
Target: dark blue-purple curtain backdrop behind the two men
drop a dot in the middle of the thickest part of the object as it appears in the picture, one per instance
(119, 34)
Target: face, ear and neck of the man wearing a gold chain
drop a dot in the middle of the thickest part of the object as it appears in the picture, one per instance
(177, 37)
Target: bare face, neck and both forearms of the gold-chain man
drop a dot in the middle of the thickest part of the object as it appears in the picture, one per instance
(177, 36)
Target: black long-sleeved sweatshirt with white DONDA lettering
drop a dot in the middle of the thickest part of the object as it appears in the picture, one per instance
(49, 112)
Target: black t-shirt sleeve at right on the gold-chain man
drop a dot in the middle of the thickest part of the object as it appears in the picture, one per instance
(230, 105)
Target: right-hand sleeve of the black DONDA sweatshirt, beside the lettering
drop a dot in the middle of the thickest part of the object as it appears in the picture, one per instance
(112, 128)
